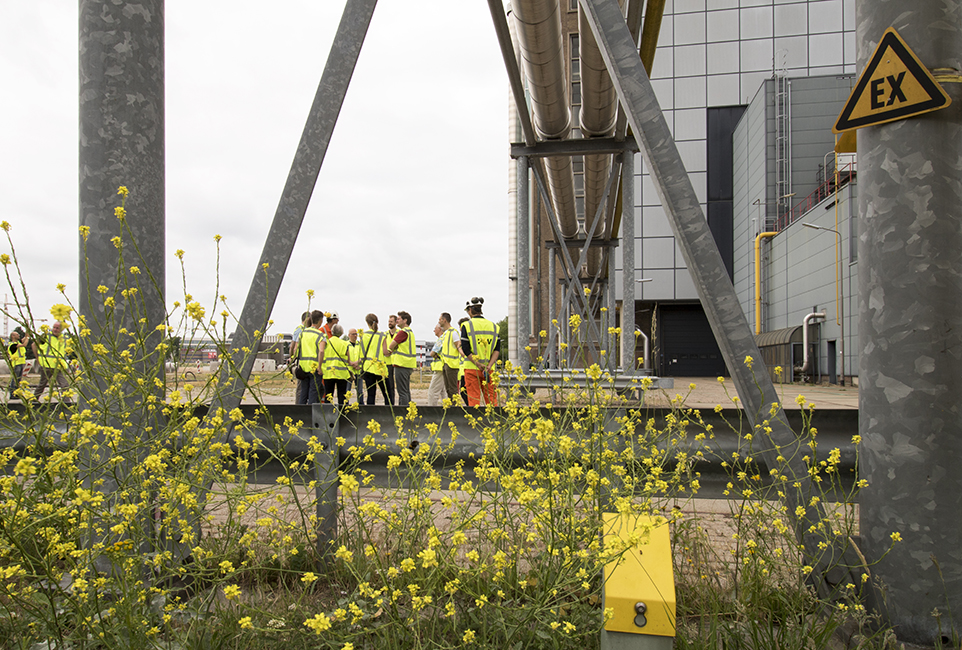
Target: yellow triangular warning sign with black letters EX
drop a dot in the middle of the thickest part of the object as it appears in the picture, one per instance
(893, 86)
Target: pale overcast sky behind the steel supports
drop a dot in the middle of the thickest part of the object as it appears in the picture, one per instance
(410, 208)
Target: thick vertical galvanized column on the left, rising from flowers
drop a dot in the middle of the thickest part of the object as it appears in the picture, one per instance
(122, 144)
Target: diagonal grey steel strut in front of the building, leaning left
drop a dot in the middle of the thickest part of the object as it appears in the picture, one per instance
(711, 280)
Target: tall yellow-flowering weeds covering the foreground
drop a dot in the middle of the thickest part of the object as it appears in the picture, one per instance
(137, 514)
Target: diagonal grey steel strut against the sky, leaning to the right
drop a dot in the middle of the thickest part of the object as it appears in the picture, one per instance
(294, 200)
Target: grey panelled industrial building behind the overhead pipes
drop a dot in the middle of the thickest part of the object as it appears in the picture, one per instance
(750, 90)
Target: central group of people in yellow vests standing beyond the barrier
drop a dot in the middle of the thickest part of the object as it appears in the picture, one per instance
(326, 363)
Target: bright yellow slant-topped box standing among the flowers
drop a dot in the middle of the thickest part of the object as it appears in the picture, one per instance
(639, 587)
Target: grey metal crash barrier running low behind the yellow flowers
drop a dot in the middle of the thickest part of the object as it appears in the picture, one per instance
(728, 437)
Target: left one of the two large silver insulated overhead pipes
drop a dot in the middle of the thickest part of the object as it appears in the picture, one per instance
(538, 25)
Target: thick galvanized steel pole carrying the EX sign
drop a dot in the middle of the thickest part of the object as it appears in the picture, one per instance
(910, 326)
